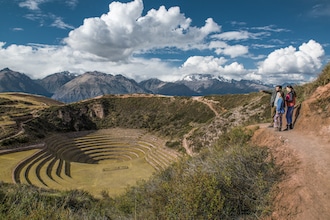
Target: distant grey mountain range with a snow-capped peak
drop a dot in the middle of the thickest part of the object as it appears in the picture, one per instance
(68, 87)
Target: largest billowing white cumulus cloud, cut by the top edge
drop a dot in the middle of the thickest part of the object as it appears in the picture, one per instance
(123, 31)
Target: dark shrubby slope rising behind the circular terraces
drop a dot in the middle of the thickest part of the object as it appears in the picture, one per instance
(170, 117)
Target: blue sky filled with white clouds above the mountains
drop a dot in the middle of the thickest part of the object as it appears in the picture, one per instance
(273, 41)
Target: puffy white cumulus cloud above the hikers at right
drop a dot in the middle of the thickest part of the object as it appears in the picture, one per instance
(295, 64)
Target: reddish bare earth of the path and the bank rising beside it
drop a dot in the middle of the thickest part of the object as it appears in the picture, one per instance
(304, 155)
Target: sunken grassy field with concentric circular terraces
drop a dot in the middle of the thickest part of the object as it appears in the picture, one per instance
(95, 161)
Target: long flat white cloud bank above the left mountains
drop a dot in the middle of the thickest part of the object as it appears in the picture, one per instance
(39, 61)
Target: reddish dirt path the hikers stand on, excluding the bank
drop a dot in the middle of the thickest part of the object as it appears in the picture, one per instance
(304, 193)
